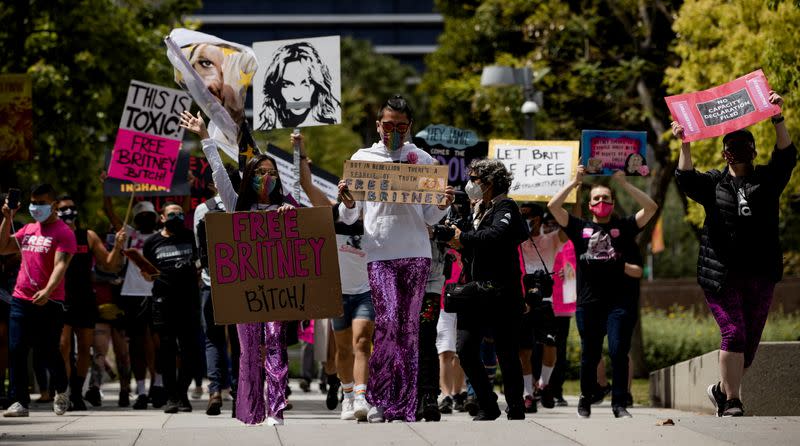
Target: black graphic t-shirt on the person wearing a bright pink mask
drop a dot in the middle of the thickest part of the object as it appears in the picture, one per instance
(601, 250)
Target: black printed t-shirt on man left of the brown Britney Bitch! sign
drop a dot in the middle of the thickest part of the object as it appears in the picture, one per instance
(175, 257)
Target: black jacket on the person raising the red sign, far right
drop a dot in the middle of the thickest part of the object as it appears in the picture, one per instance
(730, 242)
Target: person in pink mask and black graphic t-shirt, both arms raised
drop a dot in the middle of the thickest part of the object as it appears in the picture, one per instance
(600, 246)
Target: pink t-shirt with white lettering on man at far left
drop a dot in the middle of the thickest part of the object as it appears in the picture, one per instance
(39, 245)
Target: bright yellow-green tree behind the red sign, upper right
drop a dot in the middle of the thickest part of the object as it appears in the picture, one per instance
(721, 41)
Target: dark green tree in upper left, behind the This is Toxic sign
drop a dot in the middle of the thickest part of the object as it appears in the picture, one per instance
(81, 55)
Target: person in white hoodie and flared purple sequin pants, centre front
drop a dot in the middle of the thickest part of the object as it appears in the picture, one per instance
(398, 264)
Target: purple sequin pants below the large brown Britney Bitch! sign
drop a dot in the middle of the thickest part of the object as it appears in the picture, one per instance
(263, 371)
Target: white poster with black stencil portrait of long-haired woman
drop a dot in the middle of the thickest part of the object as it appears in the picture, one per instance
(298, 83)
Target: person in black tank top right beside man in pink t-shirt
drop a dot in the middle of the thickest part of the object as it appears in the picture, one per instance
(80, 307)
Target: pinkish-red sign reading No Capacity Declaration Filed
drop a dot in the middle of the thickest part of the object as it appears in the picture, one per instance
(723, 109)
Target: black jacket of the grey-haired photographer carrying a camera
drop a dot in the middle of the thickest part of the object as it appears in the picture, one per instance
(490, 252)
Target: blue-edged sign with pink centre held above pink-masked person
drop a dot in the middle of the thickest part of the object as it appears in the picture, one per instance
(606, 152)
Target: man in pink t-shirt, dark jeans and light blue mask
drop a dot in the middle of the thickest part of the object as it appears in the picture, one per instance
(37, 312)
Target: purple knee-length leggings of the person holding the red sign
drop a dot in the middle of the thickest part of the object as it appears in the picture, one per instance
(741, 309)
